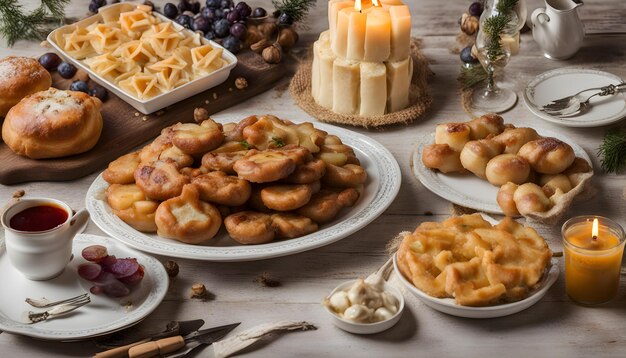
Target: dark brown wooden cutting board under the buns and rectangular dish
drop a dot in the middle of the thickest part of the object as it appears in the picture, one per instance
(125, 128)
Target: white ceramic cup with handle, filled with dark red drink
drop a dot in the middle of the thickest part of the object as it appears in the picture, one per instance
(42, 255)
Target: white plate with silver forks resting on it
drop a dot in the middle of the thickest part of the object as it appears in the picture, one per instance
(563, 82)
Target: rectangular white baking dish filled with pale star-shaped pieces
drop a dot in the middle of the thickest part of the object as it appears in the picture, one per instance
(157, 102)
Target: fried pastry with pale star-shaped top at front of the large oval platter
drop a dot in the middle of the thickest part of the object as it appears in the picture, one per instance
(188, 219)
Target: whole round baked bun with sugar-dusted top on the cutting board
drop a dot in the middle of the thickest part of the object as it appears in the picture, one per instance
(52, 124)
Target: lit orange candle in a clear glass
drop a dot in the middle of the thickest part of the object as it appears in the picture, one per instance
(593, 248)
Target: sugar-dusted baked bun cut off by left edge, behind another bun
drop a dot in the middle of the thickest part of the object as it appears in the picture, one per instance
(19, 77)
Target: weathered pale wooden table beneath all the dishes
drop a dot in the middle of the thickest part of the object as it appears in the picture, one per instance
(555, 327)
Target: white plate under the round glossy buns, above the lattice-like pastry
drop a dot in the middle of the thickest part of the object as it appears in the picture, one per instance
(467, 189)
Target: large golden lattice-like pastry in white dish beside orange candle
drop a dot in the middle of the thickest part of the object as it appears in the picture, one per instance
(467, 259)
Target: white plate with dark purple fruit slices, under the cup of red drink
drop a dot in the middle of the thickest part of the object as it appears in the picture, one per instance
(103, 315)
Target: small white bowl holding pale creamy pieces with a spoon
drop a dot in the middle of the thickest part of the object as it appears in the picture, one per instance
(367, 328)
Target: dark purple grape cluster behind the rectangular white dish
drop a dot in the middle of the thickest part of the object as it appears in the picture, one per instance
(218, 19)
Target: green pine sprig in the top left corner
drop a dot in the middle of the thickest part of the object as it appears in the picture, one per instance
(15, 24)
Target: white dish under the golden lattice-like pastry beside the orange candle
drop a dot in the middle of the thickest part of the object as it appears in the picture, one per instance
(448, 306)
